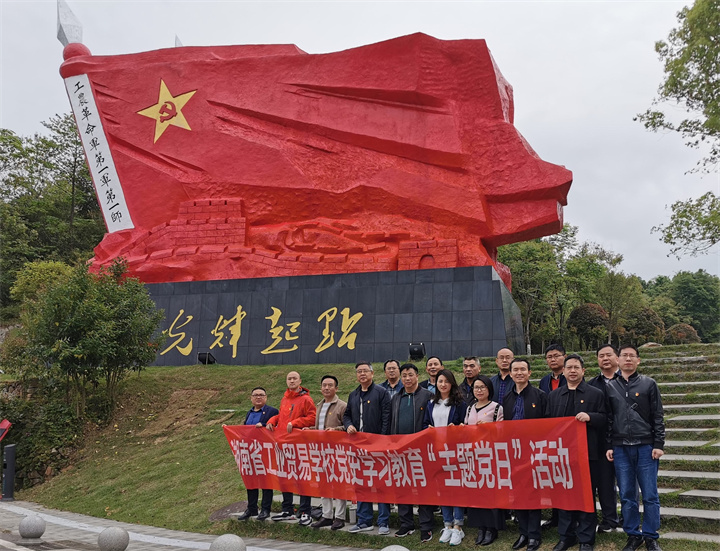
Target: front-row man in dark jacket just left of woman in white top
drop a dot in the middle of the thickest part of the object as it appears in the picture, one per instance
(408, 414)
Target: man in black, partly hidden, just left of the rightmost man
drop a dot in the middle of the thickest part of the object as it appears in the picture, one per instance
(604, 486)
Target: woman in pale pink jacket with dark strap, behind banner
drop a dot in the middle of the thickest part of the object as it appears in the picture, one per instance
(484, 410)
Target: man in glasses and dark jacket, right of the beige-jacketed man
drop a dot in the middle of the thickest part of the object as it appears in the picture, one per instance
(368, 410)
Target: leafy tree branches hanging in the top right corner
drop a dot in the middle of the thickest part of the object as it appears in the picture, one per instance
(691, 58)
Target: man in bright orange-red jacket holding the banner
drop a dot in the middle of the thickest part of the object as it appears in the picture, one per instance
(297, 411)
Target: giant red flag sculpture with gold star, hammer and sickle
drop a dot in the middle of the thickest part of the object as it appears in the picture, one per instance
(269, 161)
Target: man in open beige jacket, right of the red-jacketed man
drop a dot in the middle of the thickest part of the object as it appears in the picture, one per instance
(329, 416)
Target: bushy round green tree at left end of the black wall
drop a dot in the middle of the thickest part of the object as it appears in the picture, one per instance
(87, 328)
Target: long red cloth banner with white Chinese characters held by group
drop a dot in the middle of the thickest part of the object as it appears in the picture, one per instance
(532, 464)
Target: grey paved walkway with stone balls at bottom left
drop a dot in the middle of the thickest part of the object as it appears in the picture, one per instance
(73, 532)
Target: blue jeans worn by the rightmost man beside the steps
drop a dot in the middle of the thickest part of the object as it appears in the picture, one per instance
(635, 466)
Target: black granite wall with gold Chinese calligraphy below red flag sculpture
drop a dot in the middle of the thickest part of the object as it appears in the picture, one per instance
(454, 311)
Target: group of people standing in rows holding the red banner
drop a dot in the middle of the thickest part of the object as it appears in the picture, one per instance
(621, 409)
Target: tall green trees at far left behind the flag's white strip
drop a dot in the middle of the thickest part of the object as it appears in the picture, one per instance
(48, 209)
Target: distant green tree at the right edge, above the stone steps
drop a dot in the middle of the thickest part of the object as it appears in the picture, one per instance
(698, 296)
